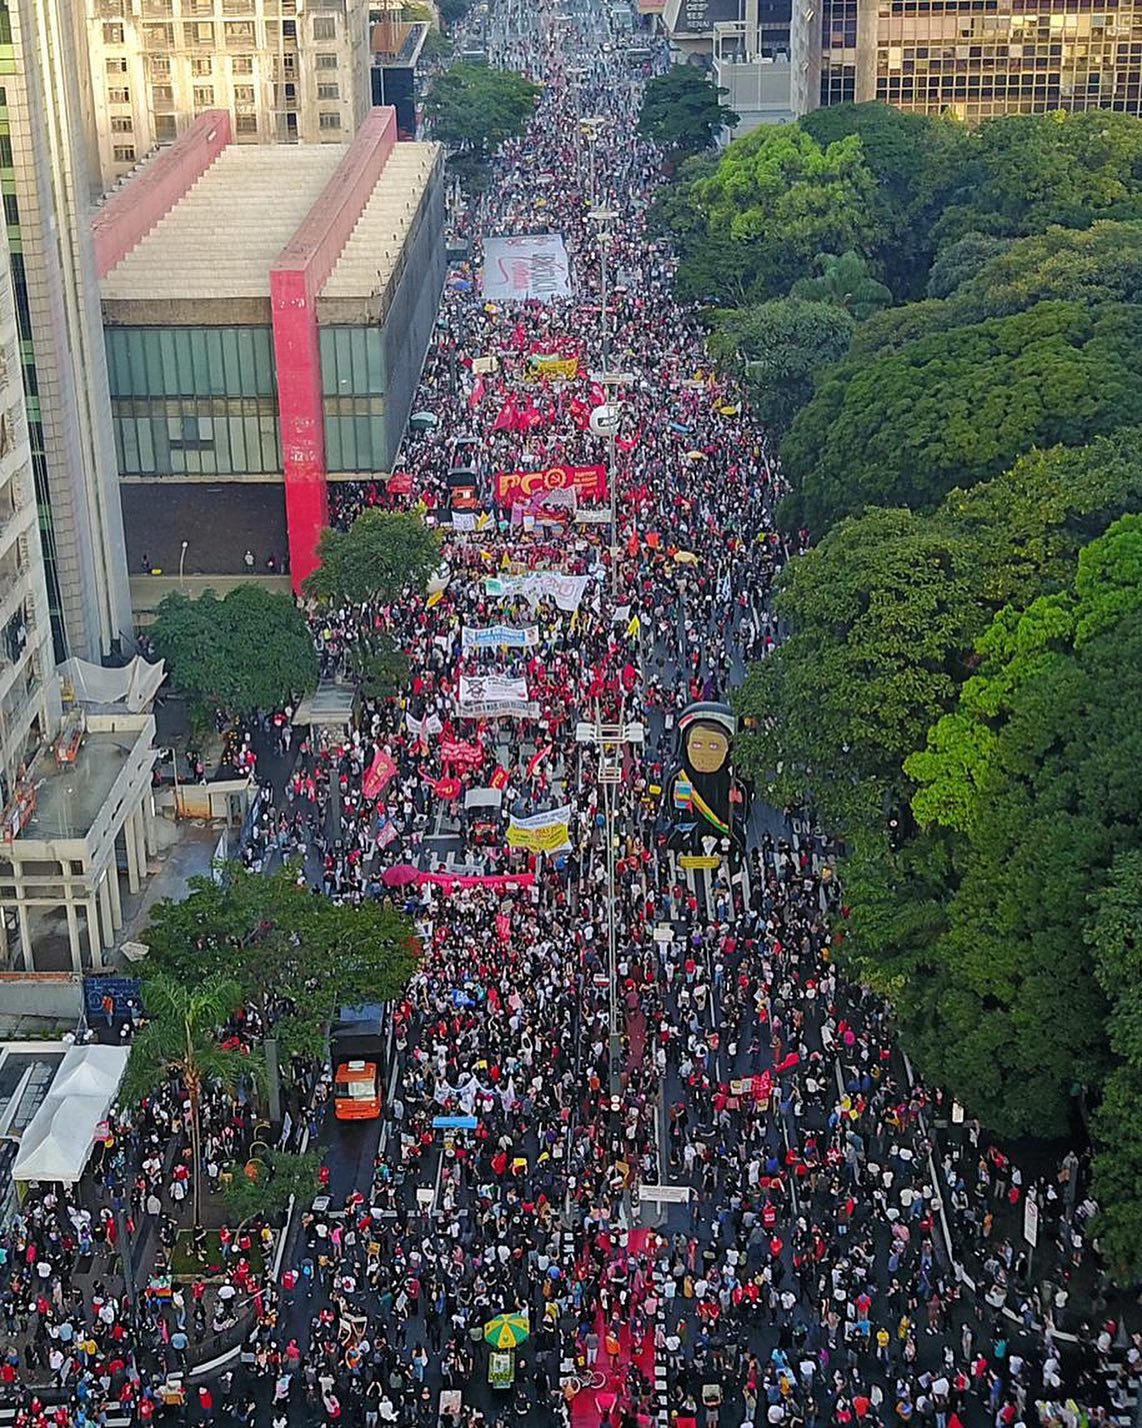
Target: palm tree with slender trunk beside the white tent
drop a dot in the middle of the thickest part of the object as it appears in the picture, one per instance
(182, 1037)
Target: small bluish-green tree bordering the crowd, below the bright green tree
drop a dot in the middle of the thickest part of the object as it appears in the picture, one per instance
(779, 349)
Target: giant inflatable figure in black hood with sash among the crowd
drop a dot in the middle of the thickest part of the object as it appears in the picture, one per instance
(702, 799)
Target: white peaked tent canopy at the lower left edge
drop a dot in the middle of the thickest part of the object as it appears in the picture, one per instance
(61, 1136)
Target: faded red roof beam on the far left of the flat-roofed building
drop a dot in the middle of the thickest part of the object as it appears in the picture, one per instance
(136, 206)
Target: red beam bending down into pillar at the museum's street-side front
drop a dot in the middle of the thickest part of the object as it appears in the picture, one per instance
(296, 279)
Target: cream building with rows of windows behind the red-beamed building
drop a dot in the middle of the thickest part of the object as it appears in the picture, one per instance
(288, 72)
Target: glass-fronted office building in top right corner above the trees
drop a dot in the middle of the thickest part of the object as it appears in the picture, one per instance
(977, 59)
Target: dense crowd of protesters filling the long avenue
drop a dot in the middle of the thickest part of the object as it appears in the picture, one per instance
(704, 1177)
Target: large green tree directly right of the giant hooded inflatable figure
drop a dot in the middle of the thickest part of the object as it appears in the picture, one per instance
(881, 615)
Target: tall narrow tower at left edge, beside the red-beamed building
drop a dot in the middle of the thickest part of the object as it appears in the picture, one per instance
(45, 179)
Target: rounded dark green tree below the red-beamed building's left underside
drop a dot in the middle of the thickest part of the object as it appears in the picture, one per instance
(251, 650)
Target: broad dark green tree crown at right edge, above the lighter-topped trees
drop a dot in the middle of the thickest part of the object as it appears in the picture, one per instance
(953, 409)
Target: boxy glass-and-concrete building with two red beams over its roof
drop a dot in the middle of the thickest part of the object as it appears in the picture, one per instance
(266, 316)
